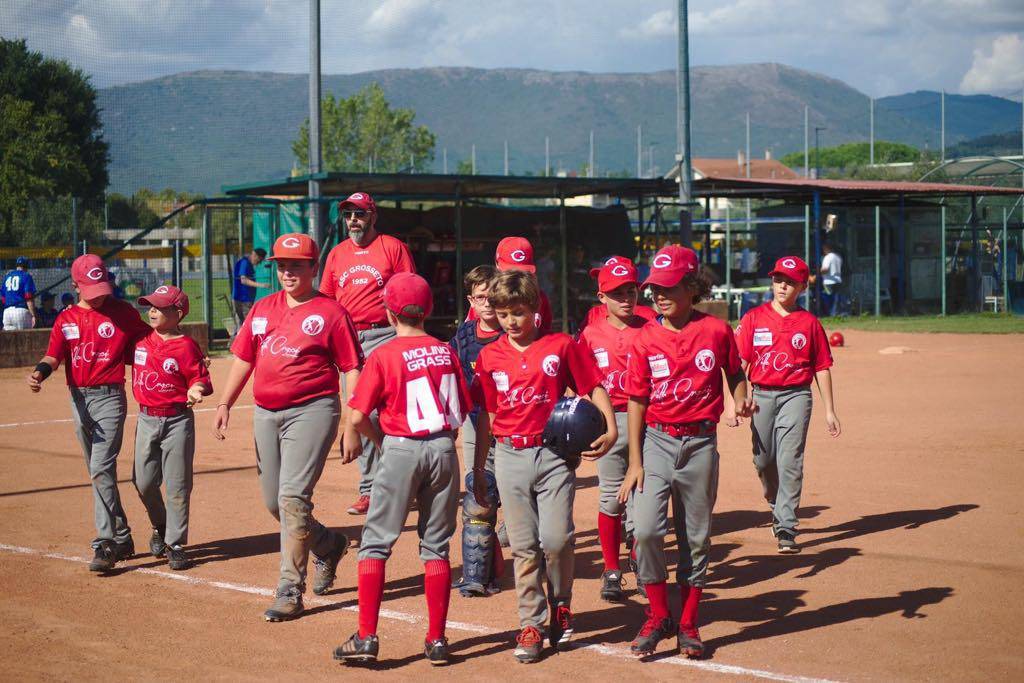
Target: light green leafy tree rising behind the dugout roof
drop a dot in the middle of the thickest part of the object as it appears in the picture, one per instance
(364, 129)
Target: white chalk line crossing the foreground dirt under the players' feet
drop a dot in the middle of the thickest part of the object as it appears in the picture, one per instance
(607, 651)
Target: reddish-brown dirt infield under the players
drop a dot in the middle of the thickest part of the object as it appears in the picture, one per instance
(912, 526)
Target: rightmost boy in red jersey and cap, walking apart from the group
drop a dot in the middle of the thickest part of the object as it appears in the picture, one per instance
(784, 349)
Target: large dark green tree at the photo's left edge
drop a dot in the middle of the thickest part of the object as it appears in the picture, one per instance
(51, 135)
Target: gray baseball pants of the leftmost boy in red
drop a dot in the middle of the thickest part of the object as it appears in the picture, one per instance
(100, 422)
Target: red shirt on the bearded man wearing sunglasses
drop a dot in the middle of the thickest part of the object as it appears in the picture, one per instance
(356, 276)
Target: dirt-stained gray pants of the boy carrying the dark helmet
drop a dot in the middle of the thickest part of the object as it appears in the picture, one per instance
(538, 491)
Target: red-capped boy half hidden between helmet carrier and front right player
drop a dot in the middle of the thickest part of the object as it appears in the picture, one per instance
(610, 339)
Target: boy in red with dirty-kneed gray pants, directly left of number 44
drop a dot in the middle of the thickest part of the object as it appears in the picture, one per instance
(294, 344)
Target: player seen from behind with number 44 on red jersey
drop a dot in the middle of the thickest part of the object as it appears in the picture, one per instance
(416, 385)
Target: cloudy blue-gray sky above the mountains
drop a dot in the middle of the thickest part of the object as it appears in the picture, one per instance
(881, 48)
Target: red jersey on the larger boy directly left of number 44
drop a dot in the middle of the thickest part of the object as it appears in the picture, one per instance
(297, 353)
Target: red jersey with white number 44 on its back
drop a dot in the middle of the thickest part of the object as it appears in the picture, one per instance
(417, 385)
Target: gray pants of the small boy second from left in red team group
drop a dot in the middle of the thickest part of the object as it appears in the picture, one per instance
(164, 452)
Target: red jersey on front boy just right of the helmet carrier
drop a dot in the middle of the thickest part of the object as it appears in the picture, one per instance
(680, 373)
